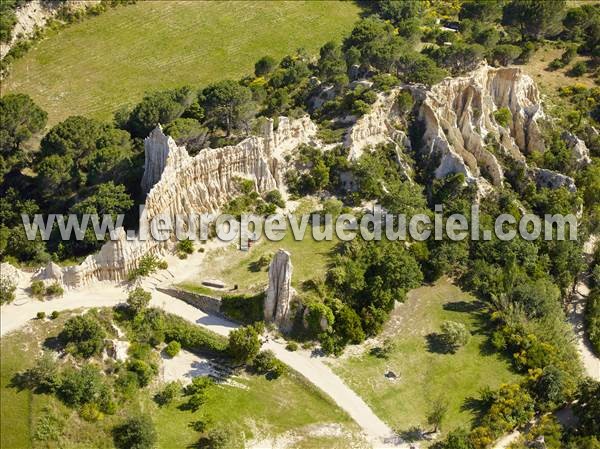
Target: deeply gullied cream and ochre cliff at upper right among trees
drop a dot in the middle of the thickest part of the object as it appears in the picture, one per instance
(458, 115)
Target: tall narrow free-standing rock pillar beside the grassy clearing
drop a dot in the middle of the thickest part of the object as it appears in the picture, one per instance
(279, 292)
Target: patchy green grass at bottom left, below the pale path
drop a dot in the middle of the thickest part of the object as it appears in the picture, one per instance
(257, 407)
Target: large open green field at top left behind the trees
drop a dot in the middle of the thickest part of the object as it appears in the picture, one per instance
(94, 67)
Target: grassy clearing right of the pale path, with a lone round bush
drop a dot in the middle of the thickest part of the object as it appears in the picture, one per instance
(425, 376)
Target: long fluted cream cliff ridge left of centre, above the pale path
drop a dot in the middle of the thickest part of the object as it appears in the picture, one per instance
(177, 184)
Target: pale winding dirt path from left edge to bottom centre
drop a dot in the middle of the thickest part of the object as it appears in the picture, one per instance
(104, 294)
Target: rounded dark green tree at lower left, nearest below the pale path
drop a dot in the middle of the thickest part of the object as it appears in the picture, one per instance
(83, 335)
